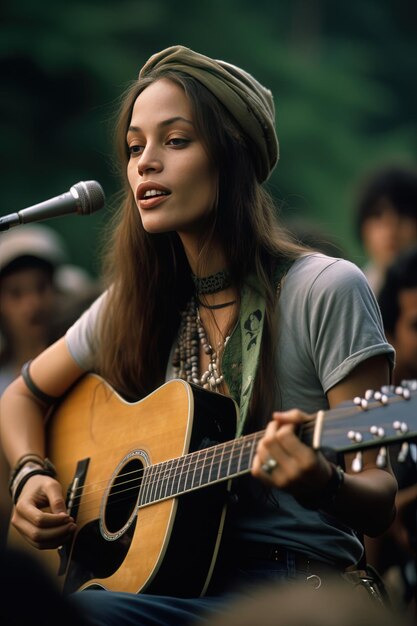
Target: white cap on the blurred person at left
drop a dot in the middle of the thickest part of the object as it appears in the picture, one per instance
(35, 240)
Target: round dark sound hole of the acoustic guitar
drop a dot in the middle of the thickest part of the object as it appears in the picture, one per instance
(123, 495)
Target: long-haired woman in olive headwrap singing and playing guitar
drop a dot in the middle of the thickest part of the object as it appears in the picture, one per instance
(204, 285)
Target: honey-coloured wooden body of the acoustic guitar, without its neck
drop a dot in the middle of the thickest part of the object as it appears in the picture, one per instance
(95, 439)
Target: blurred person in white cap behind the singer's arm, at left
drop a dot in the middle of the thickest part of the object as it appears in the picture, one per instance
(40, 292)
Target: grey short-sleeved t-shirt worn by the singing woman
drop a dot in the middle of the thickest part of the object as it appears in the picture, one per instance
(329, 322)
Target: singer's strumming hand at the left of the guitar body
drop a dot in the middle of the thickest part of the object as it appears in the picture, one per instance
(40, 513)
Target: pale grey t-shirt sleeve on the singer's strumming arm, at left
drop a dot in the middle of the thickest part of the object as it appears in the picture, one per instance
(82, 337)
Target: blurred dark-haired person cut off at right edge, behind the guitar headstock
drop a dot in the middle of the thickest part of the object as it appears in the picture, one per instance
(394, 554)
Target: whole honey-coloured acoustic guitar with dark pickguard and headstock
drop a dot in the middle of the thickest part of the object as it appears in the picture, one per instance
(148, 482)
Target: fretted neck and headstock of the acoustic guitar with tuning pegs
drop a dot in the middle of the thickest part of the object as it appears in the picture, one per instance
(341, 429)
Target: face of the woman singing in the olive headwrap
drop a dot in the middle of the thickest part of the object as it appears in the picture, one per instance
(169, 171)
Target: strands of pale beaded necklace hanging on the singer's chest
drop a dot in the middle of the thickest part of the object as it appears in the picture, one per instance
(186, 357)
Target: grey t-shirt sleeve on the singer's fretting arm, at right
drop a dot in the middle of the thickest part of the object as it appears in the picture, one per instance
(344, 322)
